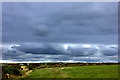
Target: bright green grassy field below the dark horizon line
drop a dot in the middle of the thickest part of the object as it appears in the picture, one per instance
(98, 71)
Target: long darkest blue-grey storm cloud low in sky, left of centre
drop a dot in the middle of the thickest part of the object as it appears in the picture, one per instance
(40, 49)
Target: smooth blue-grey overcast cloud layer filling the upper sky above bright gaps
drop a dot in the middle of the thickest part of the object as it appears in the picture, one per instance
(46, 22)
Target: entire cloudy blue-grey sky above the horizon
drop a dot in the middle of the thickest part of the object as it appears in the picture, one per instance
(60, 31)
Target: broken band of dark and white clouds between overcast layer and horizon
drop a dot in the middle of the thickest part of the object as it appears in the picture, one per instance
(59, 53)
